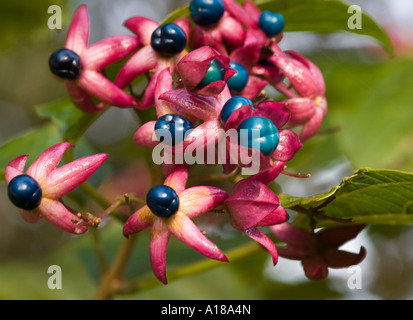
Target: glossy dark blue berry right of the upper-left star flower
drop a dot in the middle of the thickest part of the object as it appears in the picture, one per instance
(168, 40)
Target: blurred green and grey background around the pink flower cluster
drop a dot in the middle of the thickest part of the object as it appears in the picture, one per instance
(369, 124)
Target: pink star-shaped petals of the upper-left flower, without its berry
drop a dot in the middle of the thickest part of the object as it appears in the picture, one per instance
(90, 83)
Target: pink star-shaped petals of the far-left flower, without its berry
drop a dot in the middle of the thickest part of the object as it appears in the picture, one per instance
(55, 183)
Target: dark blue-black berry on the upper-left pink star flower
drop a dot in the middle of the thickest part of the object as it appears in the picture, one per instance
(65, 64)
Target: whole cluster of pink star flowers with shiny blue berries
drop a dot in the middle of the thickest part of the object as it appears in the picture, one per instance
(206, 77)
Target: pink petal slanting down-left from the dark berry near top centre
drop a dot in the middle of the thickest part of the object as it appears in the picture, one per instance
(142, 61)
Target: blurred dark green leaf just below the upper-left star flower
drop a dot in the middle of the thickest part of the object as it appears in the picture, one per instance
(71, 121)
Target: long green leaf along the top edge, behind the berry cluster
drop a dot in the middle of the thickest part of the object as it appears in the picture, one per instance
(322, 16)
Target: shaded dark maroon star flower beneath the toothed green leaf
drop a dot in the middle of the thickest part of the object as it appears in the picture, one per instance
(319, 251)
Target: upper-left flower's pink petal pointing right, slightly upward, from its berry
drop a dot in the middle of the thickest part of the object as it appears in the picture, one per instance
(105, 52)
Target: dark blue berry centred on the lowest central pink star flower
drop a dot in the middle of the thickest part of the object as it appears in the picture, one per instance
(163, 201)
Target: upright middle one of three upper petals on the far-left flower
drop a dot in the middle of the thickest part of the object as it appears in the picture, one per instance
(47, 162)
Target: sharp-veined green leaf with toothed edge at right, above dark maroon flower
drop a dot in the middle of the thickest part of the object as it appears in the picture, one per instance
(369, 196)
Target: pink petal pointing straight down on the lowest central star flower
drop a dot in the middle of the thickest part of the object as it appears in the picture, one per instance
(157, 249)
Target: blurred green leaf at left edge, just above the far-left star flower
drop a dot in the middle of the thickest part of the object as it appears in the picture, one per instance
(32, 142)
